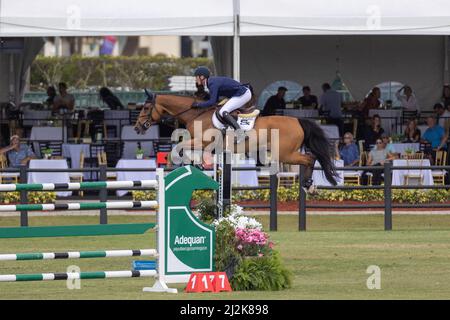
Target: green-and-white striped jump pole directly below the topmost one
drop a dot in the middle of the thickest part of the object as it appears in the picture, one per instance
(81, 206)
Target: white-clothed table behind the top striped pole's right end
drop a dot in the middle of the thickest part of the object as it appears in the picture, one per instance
(135, 175)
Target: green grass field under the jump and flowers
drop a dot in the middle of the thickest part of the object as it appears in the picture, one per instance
(329, 261)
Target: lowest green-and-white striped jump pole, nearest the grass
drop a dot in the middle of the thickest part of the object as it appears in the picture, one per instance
(77, 275)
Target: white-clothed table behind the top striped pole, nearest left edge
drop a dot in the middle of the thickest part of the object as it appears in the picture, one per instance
(50, 177)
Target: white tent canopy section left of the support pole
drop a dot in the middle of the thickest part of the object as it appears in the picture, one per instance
(115, 17)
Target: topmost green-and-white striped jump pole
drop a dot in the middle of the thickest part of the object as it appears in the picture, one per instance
(79, 186)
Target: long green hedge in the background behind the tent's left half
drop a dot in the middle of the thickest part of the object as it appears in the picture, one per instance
(133, 73)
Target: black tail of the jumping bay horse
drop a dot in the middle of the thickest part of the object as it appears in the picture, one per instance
(320, 147)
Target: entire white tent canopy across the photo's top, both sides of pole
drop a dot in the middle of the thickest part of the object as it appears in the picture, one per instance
(215, 17)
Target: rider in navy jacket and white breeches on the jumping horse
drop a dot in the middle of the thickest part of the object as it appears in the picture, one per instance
(237, 93)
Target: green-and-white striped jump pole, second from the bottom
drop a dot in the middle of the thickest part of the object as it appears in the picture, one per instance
(77, 255)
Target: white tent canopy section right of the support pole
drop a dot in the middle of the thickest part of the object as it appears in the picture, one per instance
(344, 17)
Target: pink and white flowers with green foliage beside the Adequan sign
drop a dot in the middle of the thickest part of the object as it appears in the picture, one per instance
(244, 251)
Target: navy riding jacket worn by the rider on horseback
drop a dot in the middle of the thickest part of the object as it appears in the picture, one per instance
(221, 87)
